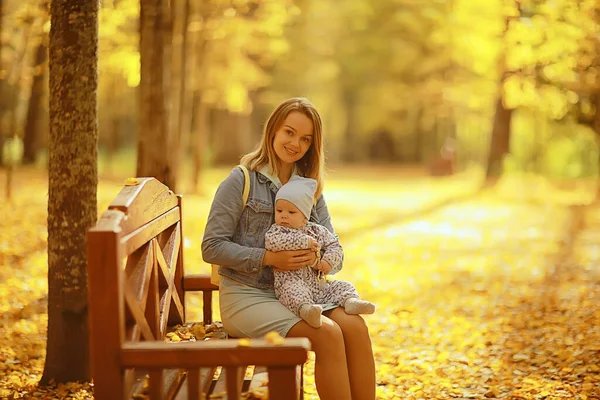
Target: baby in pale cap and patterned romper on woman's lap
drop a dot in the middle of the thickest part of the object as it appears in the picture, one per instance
(305, 291)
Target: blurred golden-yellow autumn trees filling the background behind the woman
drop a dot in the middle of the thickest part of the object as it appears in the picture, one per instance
(504, 85)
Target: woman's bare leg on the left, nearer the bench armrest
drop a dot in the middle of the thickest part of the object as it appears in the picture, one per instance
(331, 368)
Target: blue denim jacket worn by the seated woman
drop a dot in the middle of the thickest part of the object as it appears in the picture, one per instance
(234, 238)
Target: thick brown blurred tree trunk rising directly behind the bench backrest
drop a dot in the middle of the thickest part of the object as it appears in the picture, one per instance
(154, 153)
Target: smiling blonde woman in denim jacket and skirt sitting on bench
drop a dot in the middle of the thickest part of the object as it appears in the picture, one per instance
(234, 238)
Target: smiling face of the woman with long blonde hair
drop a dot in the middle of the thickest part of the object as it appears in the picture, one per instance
(293, 138)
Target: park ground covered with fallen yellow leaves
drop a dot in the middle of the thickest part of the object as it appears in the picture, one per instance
(481, 294)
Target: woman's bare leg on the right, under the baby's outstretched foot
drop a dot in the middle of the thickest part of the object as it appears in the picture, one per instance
(359, 353)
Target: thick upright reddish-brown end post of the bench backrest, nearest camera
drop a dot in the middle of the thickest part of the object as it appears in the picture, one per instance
(106, 308)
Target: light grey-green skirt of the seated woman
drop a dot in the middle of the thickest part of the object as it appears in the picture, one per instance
(251, 312)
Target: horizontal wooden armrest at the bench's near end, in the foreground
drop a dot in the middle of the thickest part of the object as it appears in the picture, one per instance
(293, 351)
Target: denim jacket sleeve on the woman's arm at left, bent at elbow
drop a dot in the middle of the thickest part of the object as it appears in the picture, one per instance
(224, 216)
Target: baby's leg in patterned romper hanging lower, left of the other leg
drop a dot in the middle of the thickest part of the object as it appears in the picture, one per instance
(296, 295)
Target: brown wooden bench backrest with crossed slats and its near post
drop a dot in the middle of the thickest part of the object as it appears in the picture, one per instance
(135, 278)
